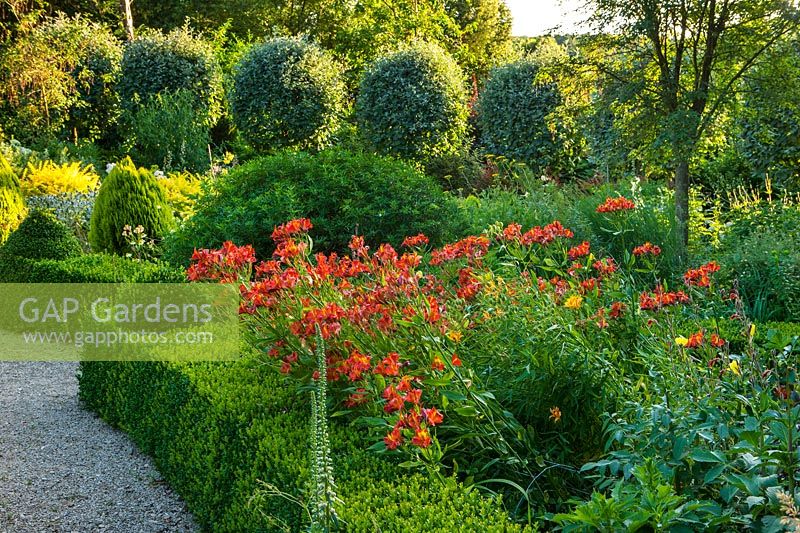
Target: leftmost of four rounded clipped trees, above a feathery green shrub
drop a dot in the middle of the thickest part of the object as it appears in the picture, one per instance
(156, 63)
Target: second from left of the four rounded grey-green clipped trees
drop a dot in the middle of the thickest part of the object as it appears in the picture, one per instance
(287, 93)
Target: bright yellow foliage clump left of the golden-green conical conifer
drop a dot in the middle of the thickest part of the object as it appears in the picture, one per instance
(49, 178)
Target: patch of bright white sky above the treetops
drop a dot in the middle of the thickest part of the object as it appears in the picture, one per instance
(536, 17)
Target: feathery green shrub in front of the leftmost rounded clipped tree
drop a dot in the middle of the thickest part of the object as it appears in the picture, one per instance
(166, 132)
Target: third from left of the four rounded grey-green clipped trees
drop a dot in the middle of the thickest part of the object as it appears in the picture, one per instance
(413, 104)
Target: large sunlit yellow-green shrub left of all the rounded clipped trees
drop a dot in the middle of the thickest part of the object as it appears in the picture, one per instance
(58, 80)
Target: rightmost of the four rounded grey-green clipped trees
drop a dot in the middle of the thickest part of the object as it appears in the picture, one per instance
(515, 114)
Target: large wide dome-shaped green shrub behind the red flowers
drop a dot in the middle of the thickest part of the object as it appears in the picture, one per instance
(343, 193)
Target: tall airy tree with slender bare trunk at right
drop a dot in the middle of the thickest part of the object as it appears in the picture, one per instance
(684, 61)
